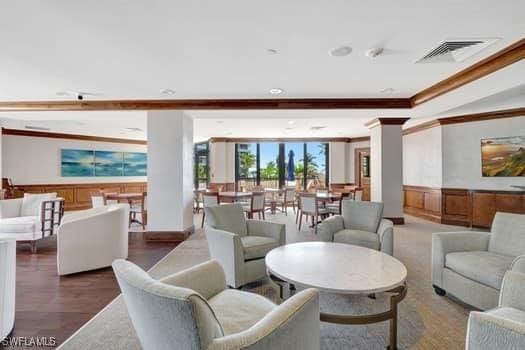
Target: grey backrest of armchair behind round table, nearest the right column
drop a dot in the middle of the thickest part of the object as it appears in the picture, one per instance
(362, 216)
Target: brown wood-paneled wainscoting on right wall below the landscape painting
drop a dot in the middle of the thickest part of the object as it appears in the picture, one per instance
(463, 207)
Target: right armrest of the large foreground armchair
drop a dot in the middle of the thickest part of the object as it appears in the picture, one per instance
(292, 325)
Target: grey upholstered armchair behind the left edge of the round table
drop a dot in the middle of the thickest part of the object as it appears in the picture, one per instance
(240, 245)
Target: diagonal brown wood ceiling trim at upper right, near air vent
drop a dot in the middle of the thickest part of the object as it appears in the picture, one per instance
(501, 59)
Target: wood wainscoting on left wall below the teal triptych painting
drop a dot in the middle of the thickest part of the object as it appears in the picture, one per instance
(78, 196)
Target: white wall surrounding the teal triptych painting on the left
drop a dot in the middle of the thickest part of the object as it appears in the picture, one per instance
(37, 160)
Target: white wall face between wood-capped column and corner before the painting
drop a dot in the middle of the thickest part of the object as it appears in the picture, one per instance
(422, 158)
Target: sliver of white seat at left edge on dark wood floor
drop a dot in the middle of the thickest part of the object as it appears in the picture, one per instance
(7, 286)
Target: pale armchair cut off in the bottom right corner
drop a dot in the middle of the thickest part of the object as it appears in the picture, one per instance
(504, 326)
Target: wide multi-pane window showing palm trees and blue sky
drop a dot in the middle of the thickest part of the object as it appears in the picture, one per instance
(267, 164)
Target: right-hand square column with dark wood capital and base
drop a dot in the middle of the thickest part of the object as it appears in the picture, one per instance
(386, 159)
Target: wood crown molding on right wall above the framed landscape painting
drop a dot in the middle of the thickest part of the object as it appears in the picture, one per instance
(467, 118)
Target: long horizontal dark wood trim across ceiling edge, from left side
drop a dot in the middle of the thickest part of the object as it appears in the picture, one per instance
(207, 104)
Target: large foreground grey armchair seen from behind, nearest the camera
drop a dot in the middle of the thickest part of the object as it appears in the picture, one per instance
(194, 309)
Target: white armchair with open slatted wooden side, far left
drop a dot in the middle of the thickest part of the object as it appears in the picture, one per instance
(28, 219)
